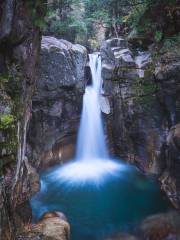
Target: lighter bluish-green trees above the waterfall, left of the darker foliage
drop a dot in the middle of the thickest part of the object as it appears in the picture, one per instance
(70, 18)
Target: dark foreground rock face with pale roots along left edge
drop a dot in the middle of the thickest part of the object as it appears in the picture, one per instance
(19, 51)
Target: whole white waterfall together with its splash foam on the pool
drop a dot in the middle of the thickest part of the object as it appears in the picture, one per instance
(92, 163)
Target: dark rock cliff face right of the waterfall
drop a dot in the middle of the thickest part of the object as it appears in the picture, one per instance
(145, 105)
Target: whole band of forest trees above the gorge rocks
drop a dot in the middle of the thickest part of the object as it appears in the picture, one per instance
(84, 21)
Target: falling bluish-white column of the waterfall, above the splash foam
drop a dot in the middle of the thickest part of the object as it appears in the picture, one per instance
(91, 140)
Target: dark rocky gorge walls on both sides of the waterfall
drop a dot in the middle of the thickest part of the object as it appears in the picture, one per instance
(40, 107)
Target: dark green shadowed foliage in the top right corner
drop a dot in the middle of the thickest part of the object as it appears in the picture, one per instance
(154, 19)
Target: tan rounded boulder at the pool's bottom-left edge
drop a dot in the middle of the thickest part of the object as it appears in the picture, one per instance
(51, 226)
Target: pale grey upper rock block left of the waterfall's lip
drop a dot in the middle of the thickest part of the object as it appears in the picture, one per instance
(62, 66)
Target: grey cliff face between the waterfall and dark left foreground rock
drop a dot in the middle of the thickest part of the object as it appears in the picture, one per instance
(57, 102)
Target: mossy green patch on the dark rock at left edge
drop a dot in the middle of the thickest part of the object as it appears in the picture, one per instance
(11, 84)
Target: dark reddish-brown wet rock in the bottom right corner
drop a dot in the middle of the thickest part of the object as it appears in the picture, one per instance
(162, 226)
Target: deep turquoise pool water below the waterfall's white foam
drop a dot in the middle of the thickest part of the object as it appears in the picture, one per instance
(97, 211)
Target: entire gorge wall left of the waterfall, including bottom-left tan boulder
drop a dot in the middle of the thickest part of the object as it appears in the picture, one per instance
(54, 110)
